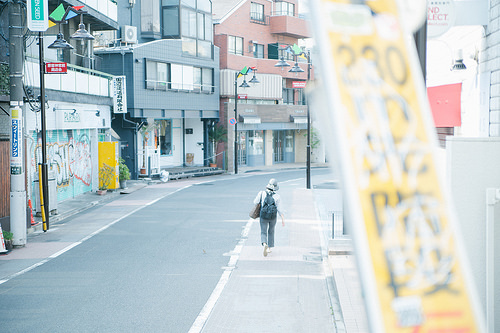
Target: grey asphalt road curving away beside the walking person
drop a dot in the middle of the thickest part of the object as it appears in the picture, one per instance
(152, 270)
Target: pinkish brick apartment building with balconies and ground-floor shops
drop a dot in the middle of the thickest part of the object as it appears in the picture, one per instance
(272, 116)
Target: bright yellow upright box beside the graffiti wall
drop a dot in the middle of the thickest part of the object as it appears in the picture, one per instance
(108, 165)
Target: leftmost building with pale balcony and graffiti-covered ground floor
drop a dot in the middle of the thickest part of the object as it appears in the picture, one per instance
(78, 104)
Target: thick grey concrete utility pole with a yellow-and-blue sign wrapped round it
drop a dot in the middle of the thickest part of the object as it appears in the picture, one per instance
(17, 165)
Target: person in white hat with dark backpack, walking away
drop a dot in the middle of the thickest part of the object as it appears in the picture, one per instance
(270, 203)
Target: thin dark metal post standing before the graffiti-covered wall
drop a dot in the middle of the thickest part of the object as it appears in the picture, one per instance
(45, 174)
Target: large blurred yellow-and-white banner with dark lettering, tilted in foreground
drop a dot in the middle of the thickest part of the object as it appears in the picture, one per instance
(413, 269)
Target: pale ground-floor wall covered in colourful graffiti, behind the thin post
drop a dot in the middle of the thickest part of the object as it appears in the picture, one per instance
(68, 158)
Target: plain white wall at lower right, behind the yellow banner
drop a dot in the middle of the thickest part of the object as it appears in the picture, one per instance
(472, 167)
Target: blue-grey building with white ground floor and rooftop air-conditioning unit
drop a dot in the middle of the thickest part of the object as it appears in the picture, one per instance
(165, 51)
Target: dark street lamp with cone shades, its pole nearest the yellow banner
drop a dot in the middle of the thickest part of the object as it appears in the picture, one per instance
(296, 69)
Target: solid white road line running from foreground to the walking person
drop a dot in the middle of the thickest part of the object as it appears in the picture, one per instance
(202, 318)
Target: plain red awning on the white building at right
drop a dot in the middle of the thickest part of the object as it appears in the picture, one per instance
(445, 104)
